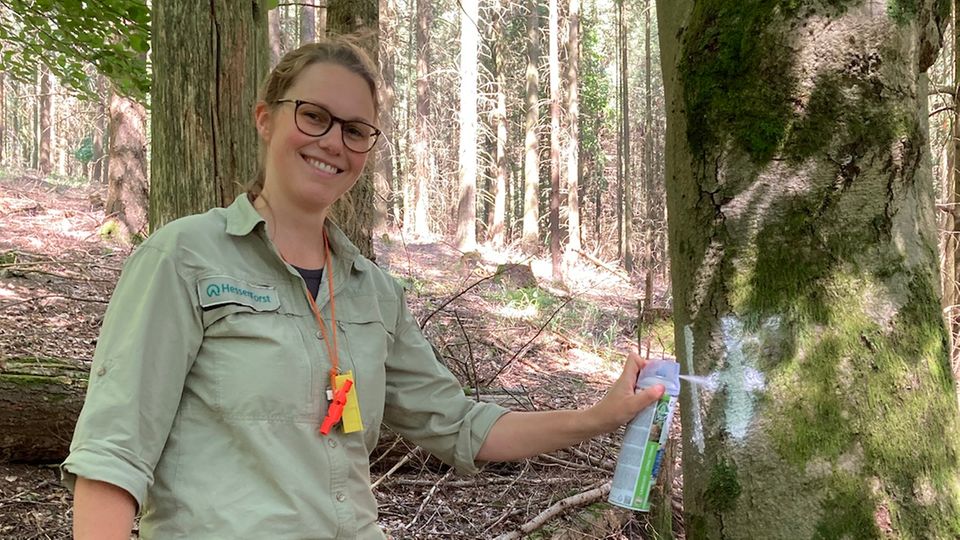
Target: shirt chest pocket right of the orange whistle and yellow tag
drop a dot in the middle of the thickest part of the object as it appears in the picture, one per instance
(367, 325)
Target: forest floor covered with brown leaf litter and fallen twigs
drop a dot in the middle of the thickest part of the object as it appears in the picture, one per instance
(529, 346)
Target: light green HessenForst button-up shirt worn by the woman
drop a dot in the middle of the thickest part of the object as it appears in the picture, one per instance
(209, 383)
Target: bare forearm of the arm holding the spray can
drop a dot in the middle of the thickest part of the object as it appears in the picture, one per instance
(517, 435)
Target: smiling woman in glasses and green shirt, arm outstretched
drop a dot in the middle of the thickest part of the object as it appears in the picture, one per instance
(234, 337)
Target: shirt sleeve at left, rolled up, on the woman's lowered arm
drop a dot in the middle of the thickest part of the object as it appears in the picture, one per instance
(149, 340)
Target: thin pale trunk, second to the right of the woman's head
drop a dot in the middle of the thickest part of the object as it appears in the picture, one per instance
(422, 171)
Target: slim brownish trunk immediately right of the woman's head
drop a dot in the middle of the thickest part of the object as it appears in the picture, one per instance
(384, 177)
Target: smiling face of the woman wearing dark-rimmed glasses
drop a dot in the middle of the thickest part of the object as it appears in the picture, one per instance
(306, 171)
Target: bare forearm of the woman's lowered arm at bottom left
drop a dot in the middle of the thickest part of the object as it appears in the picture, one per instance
(102, 511)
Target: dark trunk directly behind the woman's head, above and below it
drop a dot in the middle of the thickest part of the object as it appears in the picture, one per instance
(354, 212)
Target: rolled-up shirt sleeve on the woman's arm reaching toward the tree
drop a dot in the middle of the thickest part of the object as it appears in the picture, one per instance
(426, 404)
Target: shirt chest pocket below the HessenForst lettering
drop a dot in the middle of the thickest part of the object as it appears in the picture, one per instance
(254, 366)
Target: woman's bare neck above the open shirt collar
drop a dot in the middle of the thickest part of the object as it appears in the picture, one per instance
(297, 234)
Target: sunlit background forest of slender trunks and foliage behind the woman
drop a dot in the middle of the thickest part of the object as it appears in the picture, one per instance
(556, 111)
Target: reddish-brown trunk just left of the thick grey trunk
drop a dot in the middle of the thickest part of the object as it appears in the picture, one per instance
(128, 189)
